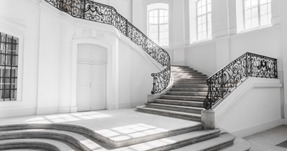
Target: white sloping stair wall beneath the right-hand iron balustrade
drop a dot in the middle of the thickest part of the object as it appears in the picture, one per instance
(252, 107)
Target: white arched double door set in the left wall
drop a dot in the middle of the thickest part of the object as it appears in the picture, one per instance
(91, 78)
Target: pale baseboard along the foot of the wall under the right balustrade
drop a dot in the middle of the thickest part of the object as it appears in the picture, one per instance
(258, 128)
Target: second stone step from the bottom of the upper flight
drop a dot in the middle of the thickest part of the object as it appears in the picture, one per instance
(195, 110)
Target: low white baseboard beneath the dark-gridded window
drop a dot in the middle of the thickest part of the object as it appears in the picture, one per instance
(16, 112)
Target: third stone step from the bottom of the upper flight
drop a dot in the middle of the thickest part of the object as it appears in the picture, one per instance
(180, 102)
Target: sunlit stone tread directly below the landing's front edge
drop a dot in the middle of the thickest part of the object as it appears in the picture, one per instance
(156, 144)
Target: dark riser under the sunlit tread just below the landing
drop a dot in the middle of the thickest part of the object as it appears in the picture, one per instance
(186, 142)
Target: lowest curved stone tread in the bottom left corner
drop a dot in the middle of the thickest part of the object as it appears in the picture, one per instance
(60, 145)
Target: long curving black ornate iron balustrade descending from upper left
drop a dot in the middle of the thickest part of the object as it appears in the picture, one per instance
(101, 13)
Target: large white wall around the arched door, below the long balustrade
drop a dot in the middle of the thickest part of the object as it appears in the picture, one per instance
(49, 38)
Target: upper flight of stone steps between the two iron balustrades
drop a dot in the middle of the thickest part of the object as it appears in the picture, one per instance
(185, 98)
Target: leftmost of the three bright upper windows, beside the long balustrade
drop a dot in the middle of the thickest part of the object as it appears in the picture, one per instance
(158, 23)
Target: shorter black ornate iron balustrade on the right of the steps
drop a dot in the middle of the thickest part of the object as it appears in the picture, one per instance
(223, 82)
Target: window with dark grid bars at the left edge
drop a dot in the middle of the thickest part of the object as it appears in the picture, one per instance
(8, 67)
